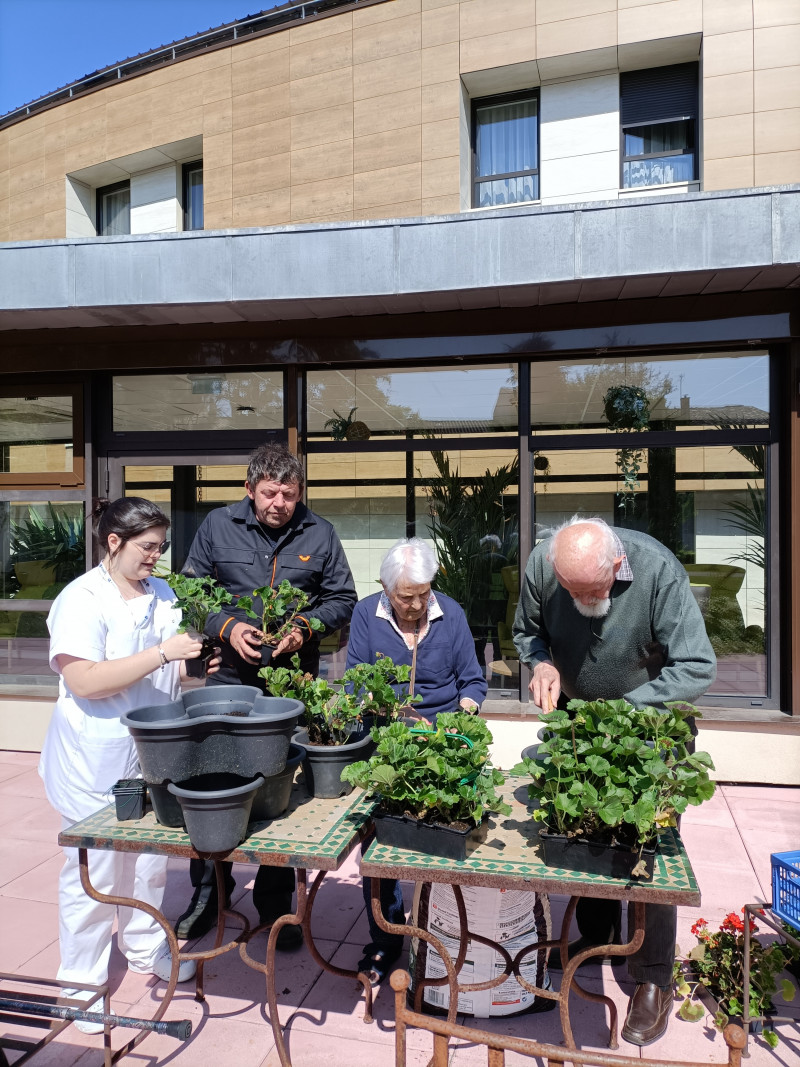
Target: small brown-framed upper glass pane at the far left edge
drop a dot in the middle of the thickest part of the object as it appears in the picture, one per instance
(36, 435)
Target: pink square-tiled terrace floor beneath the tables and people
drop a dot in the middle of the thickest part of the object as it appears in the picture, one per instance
(729, 840)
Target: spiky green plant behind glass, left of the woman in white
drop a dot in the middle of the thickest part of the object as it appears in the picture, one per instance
(57, 538)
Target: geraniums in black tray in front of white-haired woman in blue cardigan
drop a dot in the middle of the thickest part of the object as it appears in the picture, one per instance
(436, 788)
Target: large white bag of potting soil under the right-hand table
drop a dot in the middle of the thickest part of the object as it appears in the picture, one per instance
(515, 919)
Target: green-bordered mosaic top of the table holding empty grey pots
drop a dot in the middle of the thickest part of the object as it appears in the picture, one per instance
(312, 834)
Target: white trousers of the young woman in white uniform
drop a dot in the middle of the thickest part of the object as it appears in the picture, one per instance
(86, 926)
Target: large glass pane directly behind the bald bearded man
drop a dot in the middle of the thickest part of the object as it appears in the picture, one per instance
(708, 506)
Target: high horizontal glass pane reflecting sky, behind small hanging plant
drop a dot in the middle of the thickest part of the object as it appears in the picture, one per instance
(697, 392)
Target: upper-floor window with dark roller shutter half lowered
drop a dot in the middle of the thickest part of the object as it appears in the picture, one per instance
(659, 112)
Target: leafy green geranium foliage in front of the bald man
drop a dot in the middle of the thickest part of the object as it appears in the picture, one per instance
(617, 774)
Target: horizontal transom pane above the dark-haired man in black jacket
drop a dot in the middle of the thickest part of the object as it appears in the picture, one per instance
(199, 401)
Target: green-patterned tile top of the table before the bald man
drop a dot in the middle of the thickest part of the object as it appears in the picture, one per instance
(510, 858)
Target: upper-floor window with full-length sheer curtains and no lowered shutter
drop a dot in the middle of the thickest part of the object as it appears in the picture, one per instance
(506, 150)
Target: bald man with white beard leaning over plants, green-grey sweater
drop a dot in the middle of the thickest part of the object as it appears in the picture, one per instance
(607, 613)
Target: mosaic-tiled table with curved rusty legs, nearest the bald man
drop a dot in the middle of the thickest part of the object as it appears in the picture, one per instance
(510, 858)
